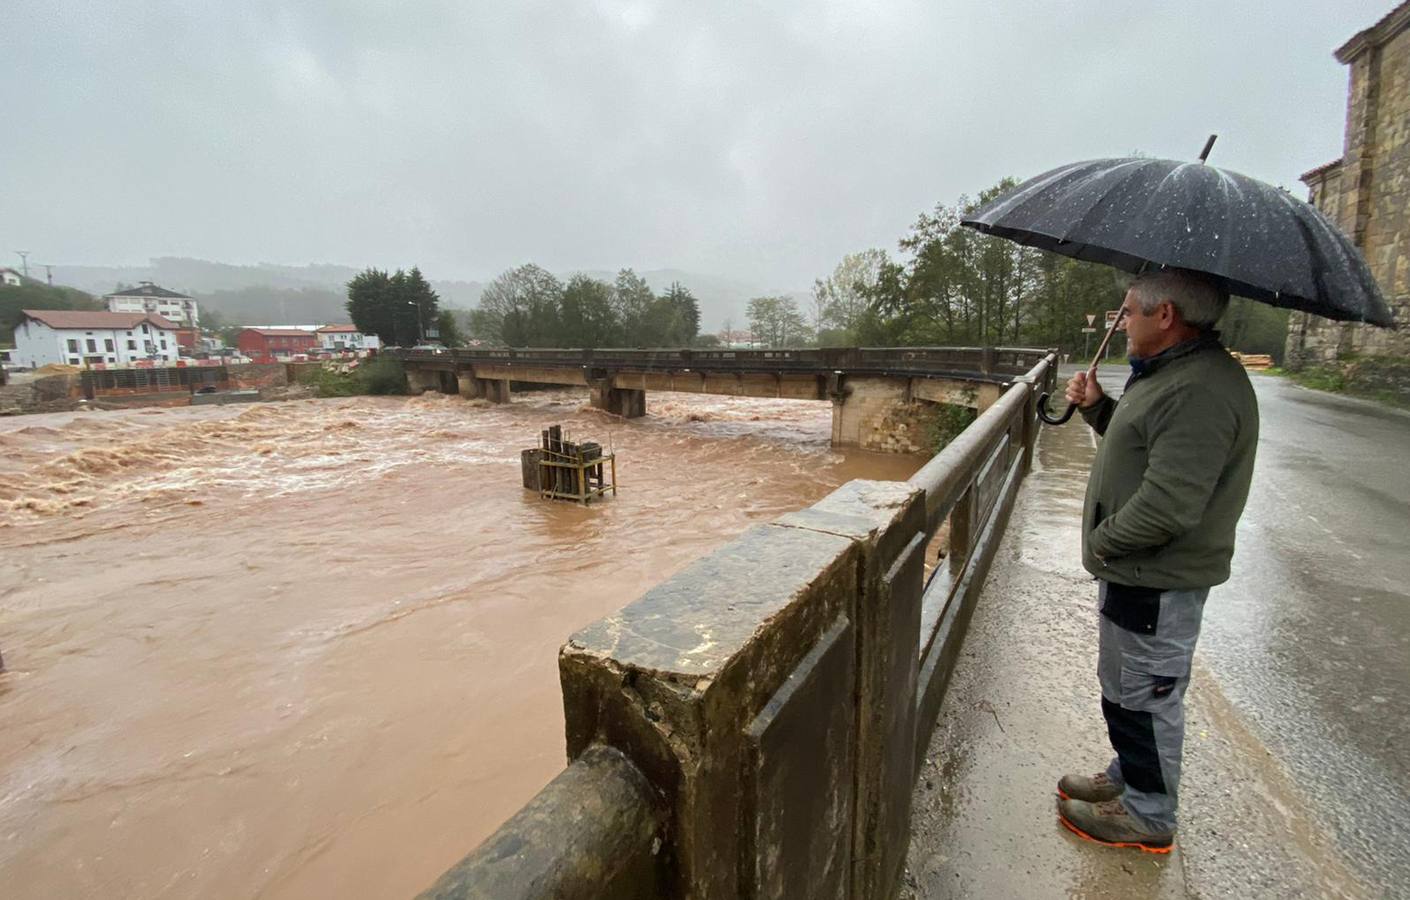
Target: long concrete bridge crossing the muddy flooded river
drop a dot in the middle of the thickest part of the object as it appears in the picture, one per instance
(879, 396)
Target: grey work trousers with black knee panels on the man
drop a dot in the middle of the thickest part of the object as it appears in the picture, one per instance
(1144, 657)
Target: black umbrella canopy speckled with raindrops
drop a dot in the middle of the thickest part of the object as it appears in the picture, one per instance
(1260, 241)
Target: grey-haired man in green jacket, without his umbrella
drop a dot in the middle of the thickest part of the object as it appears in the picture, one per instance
(1164, 500)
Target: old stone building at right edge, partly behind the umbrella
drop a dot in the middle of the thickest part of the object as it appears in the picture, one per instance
(1368, 193)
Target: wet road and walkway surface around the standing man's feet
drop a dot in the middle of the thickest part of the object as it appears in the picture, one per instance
(1298, 768)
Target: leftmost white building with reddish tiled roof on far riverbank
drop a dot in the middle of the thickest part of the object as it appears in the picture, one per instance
(81, 338)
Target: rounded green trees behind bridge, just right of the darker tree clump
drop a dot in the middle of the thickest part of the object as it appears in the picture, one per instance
(528, 307)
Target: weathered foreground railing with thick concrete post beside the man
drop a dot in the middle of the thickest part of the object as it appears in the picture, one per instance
(755, 726)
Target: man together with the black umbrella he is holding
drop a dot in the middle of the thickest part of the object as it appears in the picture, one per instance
(1177, 461)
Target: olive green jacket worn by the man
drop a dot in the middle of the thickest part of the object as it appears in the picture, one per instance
(1172, 472)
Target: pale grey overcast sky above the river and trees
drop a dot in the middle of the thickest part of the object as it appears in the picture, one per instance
(751, 140)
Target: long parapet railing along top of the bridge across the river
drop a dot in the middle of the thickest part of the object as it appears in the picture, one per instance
(920, 360)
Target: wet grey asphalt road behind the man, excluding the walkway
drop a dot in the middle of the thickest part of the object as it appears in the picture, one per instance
(1311, 638)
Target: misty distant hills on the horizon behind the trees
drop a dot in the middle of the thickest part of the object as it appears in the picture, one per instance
(271, 294)
